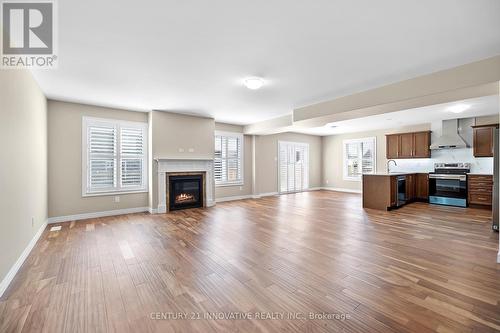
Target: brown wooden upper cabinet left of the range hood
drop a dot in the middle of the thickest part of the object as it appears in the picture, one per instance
(408, 145)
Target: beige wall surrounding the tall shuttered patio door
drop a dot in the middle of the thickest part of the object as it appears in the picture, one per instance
(266, 160)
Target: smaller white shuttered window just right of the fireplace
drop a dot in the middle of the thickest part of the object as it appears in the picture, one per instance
(228, 162)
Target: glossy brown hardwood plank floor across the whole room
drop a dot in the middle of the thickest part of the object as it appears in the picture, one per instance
(422, 268)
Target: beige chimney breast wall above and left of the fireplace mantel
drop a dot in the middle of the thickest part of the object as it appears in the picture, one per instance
(171, 133)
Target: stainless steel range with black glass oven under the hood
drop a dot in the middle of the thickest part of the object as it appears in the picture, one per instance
(448, 184)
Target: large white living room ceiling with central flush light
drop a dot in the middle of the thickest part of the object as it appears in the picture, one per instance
(191, 56)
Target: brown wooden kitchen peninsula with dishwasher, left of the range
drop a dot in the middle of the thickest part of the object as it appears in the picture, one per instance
(382, 190)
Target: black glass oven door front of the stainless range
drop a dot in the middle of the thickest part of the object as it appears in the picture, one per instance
(448, 189)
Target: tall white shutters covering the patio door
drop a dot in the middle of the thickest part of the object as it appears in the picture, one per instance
(293, 166)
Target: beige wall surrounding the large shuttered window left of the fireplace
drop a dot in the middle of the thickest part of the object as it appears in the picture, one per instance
(65, 160)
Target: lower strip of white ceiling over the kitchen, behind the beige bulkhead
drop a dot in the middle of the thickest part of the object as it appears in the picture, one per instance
(483, 106)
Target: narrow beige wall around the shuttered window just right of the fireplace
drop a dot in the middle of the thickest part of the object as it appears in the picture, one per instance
(246, 188)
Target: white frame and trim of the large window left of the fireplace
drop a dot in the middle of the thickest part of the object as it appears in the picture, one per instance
(88, 121)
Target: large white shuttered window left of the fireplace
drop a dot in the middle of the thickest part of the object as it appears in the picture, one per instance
(114, 156)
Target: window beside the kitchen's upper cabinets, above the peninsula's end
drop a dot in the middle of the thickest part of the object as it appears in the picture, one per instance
(359, 158)
